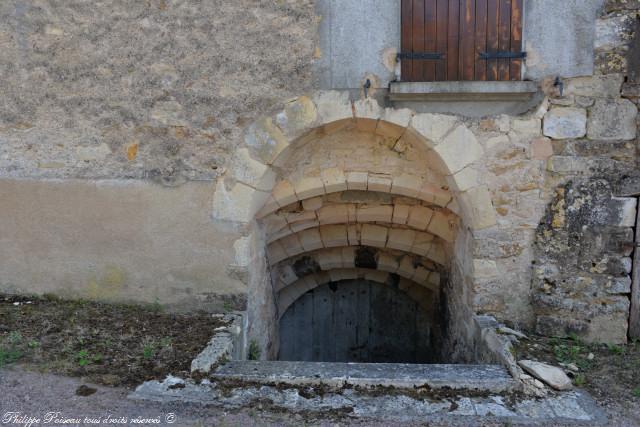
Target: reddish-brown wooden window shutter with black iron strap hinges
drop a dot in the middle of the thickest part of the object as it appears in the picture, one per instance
(461, 32)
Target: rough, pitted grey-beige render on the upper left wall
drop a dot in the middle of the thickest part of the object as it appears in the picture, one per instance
(153, 89)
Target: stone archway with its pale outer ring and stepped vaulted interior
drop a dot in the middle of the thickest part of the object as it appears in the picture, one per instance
(327, 177)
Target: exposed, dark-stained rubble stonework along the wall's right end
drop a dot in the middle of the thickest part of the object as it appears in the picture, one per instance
(582, 278)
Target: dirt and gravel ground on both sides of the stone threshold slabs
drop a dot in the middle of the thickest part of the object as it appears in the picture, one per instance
(83, 358)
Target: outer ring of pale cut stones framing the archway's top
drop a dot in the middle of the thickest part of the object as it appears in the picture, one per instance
(247, 185)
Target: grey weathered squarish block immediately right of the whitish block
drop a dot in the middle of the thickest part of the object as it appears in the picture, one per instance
(611, 120)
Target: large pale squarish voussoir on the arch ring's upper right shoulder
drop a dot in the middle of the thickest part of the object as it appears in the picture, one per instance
(459, 149)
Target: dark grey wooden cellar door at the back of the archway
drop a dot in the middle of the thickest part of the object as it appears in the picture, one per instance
(355, 321)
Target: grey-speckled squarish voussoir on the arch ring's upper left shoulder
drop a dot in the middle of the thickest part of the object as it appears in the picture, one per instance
(265, 140)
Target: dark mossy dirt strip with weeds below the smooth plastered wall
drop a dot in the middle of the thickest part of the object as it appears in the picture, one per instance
(105, 343)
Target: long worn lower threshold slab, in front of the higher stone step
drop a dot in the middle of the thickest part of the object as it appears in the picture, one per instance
(568, 408)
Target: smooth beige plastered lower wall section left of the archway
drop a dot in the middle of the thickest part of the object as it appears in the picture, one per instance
(123, 241)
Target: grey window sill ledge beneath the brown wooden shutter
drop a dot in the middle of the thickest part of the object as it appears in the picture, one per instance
(462, 91)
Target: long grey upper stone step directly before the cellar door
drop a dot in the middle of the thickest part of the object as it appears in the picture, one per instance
(485, 378)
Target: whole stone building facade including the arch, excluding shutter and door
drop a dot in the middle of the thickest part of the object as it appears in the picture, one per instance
(219, 155)
